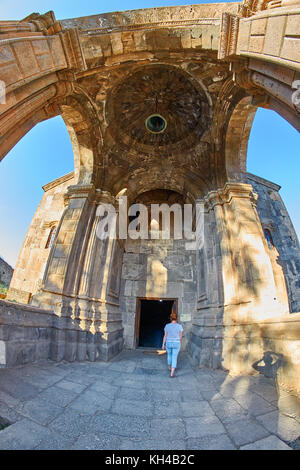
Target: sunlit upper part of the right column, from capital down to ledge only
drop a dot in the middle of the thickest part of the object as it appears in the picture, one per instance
(249, 287)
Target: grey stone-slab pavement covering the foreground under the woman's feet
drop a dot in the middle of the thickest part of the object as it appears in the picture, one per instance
(131, 403)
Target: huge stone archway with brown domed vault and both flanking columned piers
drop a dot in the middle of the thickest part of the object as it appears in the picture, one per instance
(206, 68)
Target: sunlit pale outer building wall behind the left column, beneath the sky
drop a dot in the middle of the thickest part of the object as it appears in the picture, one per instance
(32, 259)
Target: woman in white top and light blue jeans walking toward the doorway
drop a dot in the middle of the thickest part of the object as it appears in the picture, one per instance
(172, 341)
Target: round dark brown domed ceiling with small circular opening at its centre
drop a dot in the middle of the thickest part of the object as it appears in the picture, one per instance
(155, 107)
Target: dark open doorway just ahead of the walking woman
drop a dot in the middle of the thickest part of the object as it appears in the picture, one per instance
(152, 317)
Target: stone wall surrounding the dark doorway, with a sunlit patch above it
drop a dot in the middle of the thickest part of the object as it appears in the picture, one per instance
(158, 269)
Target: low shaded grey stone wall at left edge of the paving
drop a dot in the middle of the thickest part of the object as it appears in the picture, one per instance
(29, 334)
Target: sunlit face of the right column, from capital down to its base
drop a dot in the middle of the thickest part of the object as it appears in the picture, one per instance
(249, 286)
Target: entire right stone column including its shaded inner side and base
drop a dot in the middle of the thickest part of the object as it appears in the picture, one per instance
(245, 286)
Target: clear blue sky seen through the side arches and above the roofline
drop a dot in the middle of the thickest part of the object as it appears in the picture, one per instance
(45, 153)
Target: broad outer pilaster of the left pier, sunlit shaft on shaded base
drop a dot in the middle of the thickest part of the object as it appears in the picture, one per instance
(58, 292)
